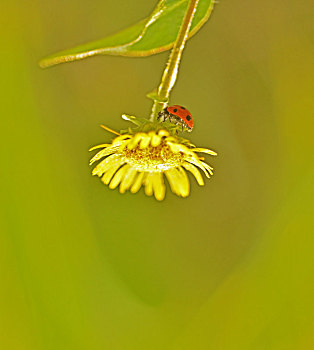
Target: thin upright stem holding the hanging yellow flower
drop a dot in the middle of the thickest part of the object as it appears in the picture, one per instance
(171, 71)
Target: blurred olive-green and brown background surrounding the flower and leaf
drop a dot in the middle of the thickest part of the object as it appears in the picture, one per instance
(231, 266)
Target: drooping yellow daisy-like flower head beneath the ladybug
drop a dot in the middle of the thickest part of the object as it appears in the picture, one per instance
(142, 158)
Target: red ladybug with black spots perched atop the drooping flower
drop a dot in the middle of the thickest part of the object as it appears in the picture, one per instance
(178, 115)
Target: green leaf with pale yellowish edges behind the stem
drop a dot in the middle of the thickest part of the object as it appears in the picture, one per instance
(152, 35)
